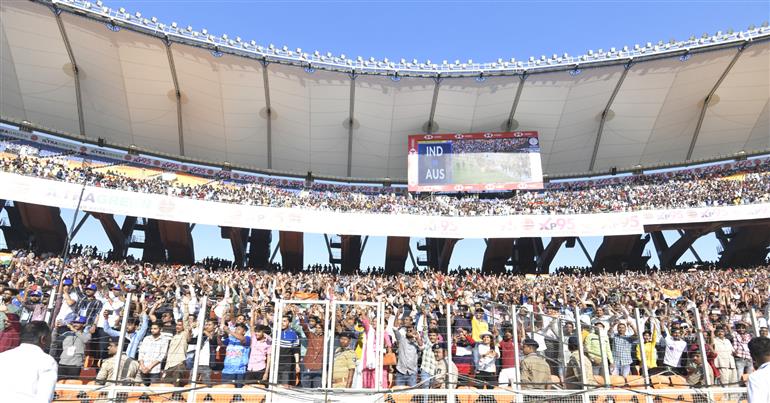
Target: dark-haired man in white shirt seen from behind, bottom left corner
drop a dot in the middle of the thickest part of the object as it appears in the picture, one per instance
(28, 374)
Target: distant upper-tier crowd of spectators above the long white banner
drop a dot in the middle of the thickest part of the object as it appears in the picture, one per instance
(682, 189)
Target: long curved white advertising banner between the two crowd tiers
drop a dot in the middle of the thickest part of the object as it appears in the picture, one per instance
(65, 195)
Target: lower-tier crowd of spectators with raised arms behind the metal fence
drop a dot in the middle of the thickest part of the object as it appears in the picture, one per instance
(428, 317)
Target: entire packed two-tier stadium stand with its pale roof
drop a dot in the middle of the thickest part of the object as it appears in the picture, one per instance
(111, 113)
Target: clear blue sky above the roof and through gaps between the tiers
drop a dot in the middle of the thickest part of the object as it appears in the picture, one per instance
(438, 30)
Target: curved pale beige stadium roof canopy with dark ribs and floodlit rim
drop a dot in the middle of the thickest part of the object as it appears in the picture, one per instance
(87, 71)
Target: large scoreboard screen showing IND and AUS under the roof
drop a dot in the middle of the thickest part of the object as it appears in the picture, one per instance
(474, 162)
